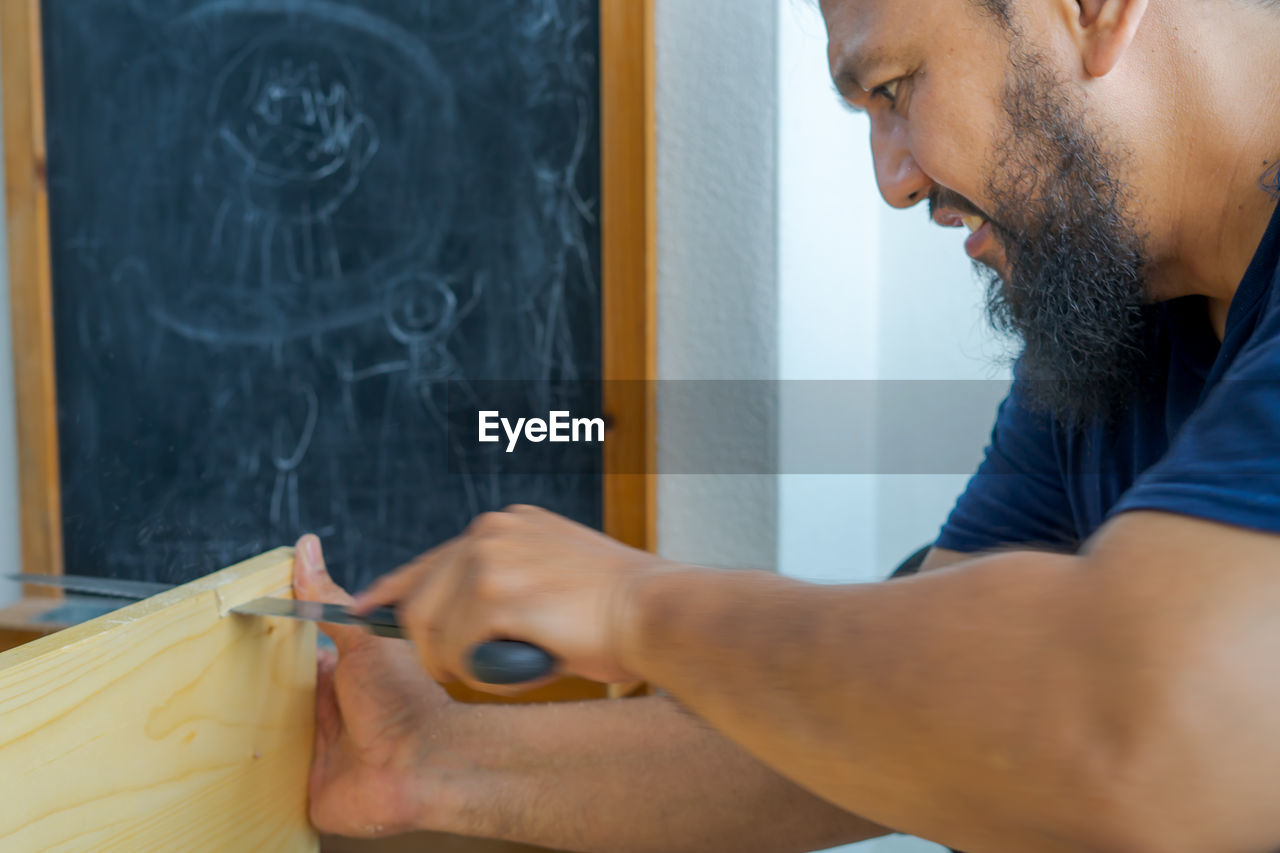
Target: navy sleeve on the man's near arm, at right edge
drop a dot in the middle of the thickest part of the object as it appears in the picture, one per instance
(1224, 464)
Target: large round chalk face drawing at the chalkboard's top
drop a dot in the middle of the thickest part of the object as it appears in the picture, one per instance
(318, 167)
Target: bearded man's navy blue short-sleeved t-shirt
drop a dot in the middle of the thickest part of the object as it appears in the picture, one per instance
(1206, 444)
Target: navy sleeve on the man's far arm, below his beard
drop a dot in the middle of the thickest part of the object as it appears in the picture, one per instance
(1018, 496)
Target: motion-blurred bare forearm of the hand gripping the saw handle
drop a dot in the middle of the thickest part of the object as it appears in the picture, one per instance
(926, 704)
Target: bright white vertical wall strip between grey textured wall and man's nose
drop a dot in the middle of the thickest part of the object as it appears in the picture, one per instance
(829, 271)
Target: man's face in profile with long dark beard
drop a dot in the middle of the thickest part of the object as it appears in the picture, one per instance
(971, 116)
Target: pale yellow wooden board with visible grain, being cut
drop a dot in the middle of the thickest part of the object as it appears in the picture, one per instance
(168, 726)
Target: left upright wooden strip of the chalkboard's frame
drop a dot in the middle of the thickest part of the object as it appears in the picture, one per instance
(30, 289)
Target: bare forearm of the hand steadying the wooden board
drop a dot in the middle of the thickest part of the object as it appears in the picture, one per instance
(629, 777)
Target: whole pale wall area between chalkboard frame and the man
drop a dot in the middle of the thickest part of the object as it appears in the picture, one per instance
(778, 259)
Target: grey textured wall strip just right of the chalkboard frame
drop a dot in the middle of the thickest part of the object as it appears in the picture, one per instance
(717, 267)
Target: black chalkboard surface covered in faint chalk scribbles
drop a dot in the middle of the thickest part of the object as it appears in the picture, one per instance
(280, 230)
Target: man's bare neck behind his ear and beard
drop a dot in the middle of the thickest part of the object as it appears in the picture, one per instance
(1226, 90)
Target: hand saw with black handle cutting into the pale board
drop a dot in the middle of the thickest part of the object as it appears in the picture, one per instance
(493, 663)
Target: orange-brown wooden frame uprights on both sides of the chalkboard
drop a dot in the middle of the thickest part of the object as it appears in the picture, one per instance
(629, 262)
